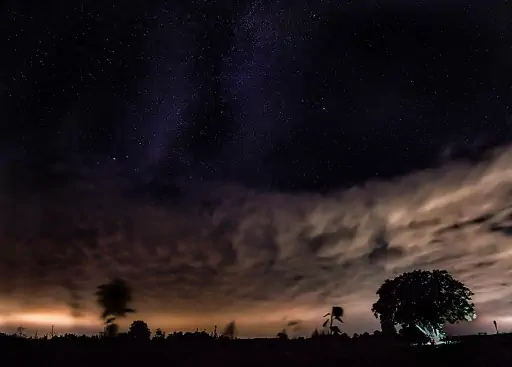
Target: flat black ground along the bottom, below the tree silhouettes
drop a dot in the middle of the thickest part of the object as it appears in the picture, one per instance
(481, 351)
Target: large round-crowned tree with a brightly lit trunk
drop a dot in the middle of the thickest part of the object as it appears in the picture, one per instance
(426, 300)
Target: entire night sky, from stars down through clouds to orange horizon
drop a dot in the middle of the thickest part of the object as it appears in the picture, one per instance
(256, 161)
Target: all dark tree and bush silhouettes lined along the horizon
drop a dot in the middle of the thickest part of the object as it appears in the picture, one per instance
(419, 303)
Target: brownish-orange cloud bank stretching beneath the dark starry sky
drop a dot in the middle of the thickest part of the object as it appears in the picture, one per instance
(222, 252)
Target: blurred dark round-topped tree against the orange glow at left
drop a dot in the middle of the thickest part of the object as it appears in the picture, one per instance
(113, 298)
